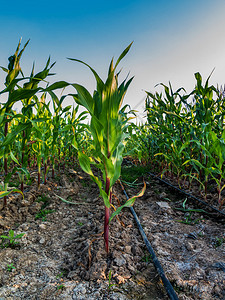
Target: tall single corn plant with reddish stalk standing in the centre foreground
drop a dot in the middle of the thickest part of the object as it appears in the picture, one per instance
(107, 129)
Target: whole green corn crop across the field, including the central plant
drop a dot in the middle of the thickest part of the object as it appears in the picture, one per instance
(182, 140)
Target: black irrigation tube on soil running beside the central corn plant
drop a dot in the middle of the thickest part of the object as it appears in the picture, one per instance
(168, 286)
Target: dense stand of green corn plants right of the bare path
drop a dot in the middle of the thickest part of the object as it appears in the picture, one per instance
(187, 130)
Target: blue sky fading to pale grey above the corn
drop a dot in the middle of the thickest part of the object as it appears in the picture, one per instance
(172, 40)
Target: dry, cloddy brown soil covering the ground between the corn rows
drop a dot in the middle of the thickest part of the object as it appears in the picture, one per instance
(61, 254)
